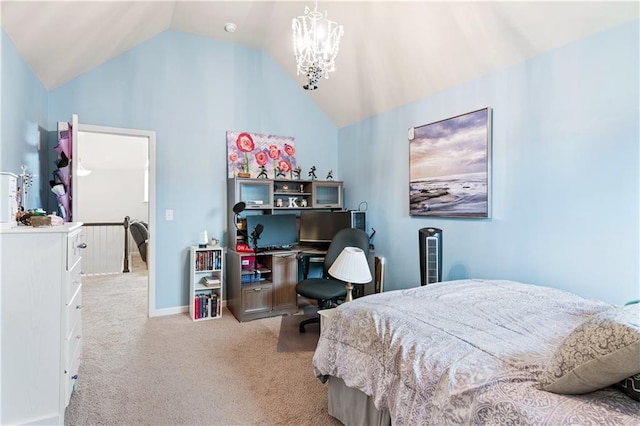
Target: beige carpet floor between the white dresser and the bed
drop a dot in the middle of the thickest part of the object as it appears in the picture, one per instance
(172, 371)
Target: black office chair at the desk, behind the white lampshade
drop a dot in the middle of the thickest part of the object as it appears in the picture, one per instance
(326, 290)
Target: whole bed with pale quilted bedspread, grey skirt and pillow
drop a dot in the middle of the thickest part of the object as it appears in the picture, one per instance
(480, 352)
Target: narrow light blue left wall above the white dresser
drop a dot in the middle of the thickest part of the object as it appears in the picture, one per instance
(24, 113)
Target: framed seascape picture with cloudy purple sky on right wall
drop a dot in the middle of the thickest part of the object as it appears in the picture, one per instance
(450, 167)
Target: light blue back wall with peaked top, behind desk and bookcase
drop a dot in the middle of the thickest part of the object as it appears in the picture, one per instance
(190, 90)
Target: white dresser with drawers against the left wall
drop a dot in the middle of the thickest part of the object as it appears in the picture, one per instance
(41, 336)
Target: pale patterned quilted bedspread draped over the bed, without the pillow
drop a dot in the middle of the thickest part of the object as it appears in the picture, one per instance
(464, 352)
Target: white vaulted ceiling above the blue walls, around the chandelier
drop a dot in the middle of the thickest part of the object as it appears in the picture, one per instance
(392, 52)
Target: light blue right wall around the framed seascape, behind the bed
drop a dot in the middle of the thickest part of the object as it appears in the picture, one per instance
(565, 173)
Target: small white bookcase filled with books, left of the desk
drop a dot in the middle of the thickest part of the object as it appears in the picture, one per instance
(206, 266)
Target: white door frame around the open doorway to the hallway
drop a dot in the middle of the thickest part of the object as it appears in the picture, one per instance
(151, 247)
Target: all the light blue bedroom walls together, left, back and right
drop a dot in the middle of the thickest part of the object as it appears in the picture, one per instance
(565, 154)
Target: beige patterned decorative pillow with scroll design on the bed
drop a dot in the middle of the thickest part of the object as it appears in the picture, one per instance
(600, 352)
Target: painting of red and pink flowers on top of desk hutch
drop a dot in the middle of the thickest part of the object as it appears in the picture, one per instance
(260, 156)
